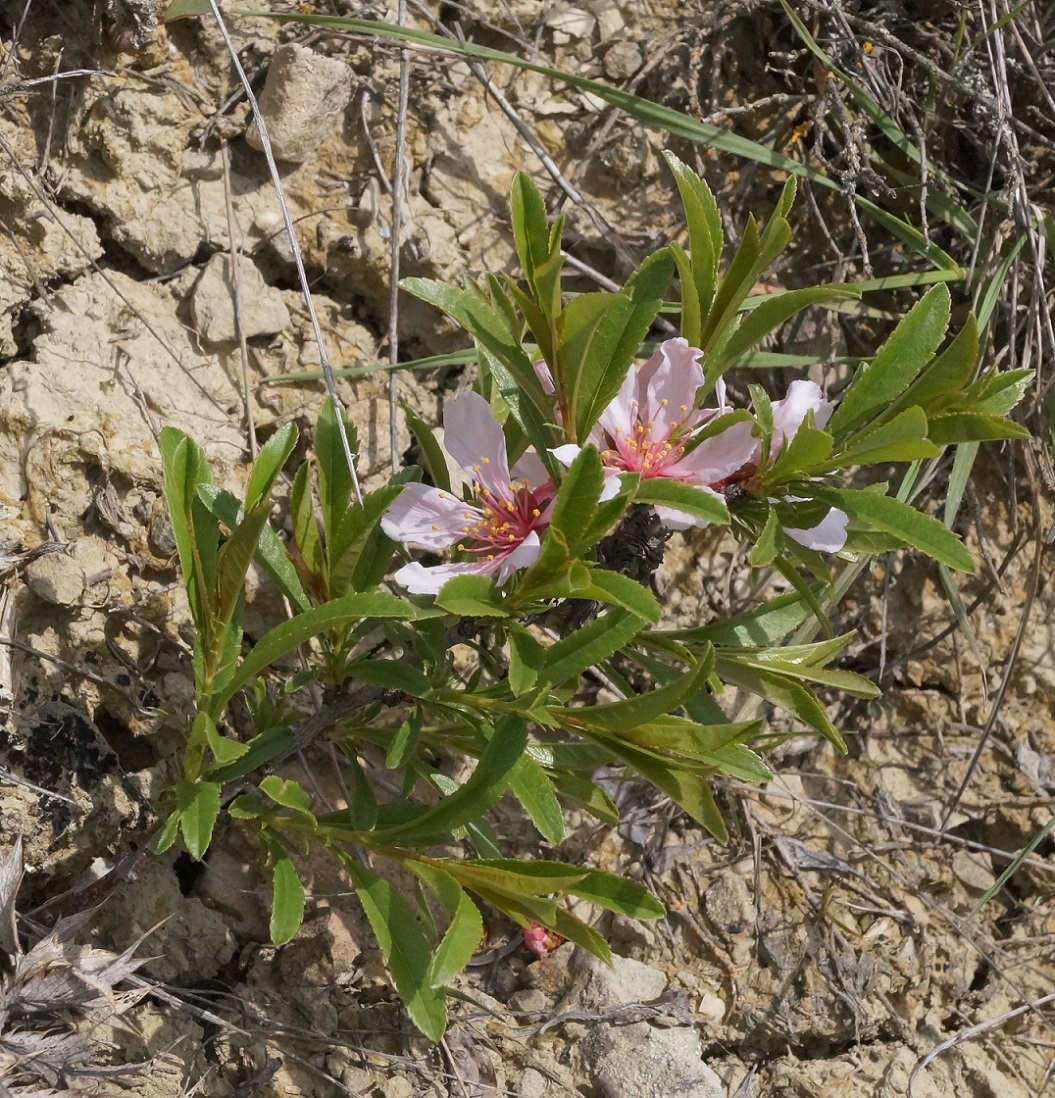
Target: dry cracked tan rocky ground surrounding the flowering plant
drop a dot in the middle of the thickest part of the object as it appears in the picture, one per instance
(833, 947)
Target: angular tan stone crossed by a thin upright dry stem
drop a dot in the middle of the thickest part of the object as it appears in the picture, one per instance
(264, 313)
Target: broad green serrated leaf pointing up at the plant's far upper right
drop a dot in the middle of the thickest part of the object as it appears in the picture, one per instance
(911, 348)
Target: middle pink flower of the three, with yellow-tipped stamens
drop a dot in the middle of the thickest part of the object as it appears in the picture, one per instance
(648, 428)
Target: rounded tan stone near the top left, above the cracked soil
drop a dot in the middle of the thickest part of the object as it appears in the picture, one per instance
(302, 102)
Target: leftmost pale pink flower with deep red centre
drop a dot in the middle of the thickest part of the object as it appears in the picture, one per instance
(500, 529)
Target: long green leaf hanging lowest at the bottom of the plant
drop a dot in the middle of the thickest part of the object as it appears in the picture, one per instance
(405, 946)
